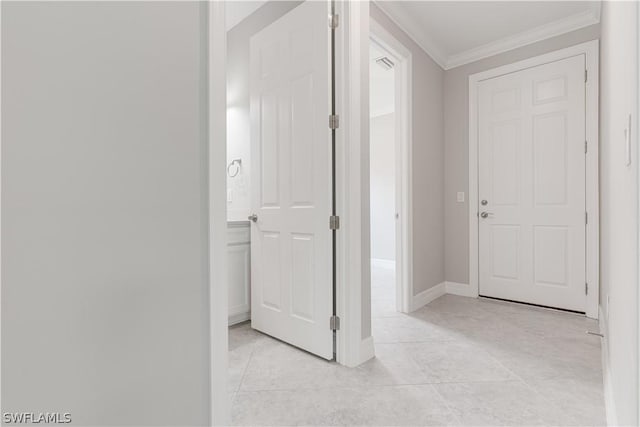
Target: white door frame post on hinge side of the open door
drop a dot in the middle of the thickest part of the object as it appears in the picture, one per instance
(352, 163)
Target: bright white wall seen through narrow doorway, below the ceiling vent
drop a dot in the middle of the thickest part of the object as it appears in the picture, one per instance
(382, 190)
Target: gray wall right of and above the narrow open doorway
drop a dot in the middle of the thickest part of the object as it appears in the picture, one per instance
(427, 161)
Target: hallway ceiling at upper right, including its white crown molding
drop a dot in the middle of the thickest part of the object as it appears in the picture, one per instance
(454, 33)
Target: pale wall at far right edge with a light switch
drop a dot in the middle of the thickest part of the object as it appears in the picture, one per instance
(619, 205)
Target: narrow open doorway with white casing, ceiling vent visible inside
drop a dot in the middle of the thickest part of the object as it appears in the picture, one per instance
(389, 173)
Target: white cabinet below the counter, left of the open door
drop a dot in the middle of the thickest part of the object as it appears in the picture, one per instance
(239, 263)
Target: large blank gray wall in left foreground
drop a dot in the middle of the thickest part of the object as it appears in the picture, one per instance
(104, 227)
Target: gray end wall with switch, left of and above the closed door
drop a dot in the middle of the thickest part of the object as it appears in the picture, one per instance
(456, 123)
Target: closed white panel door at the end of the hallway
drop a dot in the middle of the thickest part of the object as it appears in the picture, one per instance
(532, 185)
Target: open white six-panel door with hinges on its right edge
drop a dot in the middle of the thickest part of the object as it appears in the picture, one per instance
(291, 263)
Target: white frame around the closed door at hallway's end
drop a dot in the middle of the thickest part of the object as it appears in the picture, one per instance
(590, 50)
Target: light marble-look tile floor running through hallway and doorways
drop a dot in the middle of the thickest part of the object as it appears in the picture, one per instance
(457, 361)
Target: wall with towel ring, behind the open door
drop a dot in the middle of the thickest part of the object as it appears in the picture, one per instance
(238, 119)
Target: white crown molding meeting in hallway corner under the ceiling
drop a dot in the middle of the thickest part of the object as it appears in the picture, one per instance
(416, 33)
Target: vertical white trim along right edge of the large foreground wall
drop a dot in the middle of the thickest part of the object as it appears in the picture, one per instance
(217, 211)
